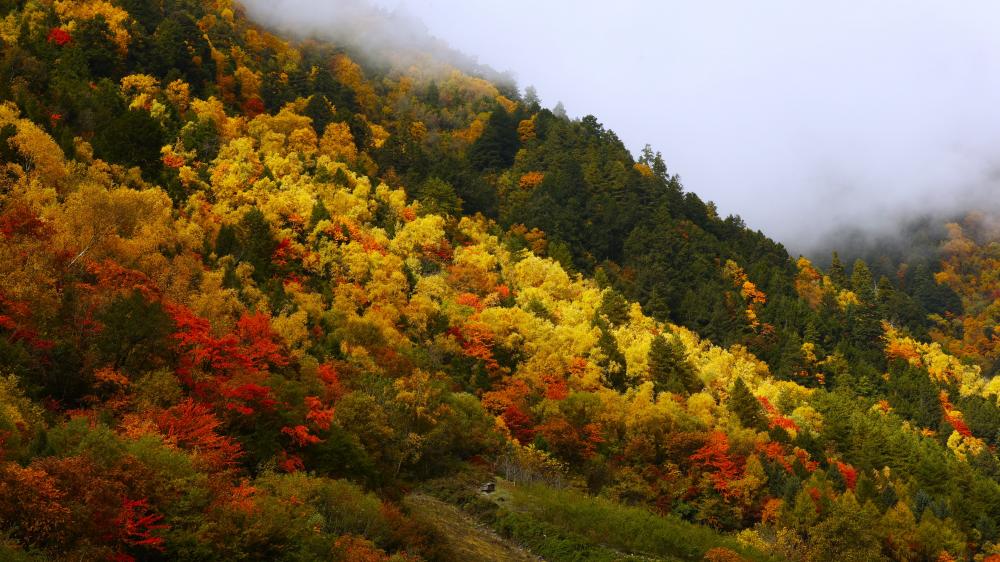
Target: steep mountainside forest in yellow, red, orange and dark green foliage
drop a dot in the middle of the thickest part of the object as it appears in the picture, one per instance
(261, 299)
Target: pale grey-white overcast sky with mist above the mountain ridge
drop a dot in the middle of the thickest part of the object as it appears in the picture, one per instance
(799, 116)
